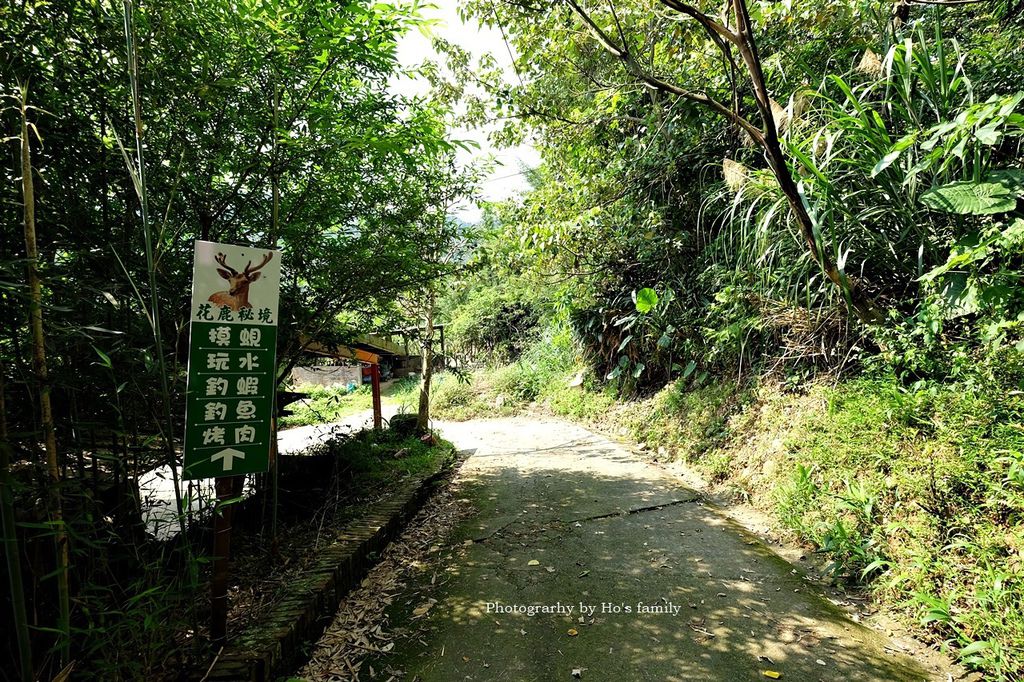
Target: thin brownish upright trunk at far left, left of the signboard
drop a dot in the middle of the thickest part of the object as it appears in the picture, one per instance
(42, 378)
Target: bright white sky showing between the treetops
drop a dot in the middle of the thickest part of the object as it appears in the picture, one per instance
(415, 49)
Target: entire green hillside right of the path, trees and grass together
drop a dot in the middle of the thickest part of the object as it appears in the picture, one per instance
(822, 312)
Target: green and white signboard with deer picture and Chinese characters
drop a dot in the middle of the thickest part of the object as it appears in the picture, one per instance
(232, 361)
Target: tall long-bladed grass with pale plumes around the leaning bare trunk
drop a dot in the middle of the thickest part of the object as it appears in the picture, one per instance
(867, 214)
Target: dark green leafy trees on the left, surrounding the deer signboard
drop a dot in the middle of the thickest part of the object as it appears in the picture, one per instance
(265, 124)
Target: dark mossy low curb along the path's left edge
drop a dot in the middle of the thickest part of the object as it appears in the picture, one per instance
(266, 650)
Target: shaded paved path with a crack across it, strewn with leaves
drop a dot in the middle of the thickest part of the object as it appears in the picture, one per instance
(565, 518)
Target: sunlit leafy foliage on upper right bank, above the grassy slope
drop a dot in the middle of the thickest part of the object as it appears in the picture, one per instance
(629, 198)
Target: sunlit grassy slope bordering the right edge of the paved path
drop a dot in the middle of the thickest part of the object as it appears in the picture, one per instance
(919, 492)
